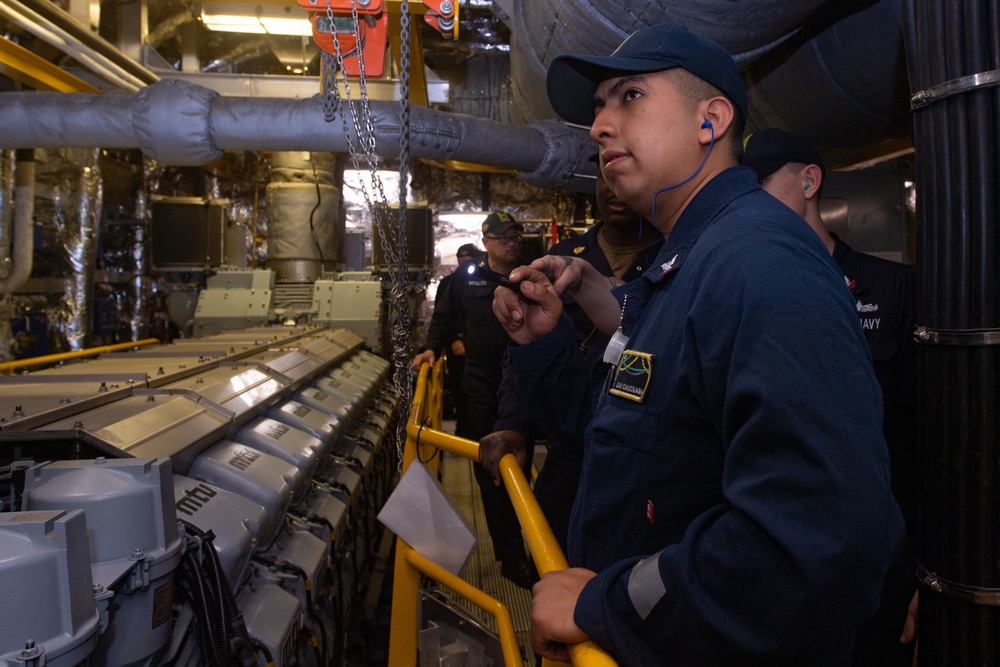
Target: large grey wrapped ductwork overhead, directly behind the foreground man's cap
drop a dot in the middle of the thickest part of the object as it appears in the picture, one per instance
(833, 71)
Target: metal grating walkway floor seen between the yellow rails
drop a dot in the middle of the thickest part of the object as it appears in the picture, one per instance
(483, 571)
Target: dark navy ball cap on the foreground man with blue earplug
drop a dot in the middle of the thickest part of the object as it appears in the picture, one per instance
(573, 79)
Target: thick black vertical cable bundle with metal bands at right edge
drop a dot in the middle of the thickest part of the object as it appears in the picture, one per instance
(957, 145)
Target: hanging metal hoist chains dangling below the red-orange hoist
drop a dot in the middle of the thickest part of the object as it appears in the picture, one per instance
(393, 244)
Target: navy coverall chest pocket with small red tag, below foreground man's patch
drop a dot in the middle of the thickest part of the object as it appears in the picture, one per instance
(620, 477)
